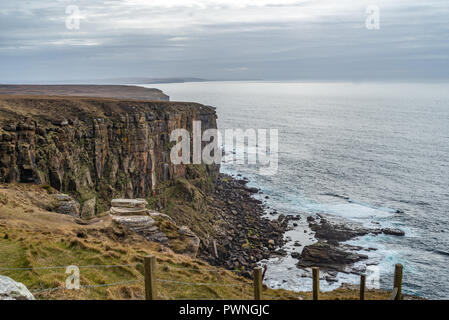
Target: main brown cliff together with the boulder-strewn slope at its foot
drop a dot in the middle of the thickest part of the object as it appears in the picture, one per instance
(99, 149)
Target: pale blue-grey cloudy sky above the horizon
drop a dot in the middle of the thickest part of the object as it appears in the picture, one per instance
(224, 39)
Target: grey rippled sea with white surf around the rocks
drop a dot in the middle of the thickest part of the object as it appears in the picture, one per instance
(370, 154)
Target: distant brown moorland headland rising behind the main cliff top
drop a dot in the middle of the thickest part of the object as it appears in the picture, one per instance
(106, 91)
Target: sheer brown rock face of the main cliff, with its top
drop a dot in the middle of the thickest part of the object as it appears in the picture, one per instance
(95, 149)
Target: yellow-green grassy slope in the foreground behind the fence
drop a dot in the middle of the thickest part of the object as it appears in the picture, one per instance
(31, 236)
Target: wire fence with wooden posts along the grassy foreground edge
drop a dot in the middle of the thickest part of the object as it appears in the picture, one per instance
(150, 277)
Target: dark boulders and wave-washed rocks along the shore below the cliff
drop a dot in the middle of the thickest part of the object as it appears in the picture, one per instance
(244, 236)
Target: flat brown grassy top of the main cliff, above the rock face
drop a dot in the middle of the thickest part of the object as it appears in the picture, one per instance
(14, 107)
